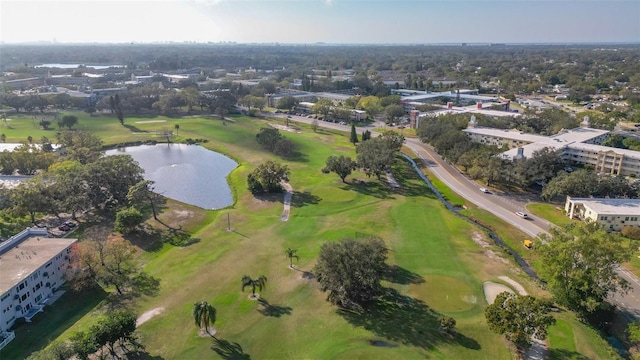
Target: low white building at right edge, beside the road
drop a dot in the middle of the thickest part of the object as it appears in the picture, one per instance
(613, 214)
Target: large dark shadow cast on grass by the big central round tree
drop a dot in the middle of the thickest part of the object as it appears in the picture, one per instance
(398, 318)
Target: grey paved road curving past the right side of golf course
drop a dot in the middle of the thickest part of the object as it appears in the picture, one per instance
(502, 205)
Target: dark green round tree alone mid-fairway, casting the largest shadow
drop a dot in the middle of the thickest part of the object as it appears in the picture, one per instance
(351, 271)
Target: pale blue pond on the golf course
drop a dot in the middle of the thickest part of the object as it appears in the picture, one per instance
(187, 173)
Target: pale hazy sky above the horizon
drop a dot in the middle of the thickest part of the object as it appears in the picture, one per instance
(328, 21)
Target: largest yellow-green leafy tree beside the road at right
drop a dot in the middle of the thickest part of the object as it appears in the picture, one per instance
(579, 264)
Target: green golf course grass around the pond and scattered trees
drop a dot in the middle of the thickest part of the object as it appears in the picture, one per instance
(438, 269)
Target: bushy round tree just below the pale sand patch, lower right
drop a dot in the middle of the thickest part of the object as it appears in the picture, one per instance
(519, 318)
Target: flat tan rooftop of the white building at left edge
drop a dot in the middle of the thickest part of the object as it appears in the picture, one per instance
(26, 257)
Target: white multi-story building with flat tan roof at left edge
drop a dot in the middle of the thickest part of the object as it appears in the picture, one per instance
(32, 268)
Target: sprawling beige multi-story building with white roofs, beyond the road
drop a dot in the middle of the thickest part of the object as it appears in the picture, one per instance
(578, 146)
